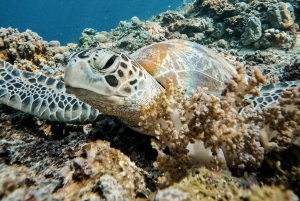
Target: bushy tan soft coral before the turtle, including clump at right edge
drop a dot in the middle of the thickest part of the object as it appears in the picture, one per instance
(207, 130)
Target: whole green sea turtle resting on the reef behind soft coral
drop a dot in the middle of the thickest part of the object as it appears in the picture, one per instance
(114, 83)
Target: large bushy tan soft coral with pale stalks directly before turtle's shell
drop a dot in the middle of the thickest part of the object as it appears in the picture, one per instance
(213, 123)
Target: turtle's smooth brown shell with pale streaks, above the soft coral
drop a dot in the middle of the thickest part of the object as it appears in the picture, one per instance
(188, 64)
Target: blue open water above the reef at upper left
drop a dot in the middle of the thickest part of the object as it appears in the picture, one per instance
(65, 20)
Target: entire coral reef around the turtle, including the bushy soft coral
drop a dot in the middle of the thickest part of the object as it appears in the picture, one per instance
(45, 161)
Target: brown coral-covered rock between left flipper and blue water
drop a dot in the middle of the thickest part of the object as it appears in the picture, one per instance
(30, 52)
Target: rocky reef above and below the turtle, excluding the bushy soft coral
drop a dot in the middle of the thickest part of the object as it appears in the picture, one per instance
(41, 160)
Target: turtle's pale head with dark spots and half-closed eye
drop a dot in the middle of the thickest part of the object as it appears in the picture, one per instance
(104, 76)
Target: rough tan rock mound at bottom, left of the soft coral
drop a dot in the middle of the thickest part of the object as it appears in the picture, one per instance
(101, 169)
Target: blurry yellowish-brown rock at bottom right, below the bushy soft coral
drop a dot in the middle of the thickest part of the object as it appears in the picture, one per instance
(202, 184)
